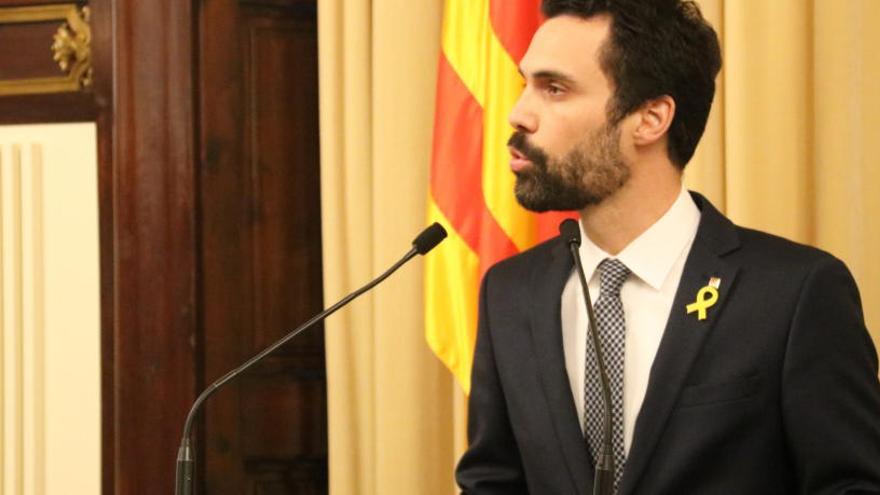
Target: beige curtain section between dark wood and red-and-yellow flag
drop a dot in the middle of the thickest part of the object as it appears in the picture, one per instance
(391, 403)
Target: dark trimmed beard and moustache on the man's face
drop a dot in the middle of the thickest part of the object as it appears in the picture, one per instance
(587, 175)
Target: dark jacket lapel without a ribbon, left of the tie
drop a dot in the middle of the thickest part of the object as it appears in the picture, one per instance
(546, 329)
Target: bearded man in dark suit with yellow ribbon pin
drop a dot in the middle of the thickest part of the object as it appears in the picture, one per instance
(739, 362)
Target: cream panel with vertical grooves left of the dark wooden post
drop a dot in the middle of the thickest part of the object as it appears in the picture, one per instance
(49, 311)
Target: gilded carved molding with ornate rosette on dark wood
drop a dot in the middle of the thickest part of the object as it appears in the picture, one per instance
(70, 48)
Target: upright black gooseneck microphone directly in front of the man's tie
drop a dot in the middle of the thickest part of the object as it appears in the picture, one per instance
(603, 482)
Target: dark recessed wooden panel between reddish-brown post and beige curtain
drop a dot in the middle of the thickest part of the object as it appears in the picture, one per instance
(261, 235)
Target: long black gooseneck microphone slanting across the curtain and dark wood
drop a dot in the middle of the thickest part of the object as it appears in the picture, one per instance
(424, 242)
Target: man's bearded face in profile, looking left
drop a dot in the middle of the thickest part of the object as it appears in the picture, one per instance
(565, 154)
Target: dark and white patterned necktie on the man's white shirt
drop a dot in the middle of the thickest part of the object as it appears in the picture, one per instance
(612, 337)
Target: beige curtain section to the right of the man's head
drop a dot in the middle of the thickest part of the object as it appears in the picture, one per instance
(788, 148)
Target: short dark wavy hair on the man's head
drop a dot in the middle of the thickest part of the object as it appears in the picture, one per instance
(656, 48)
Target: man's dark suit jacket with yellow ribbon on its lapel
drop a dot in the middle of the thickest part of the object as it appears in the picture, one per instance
(775, 392)
